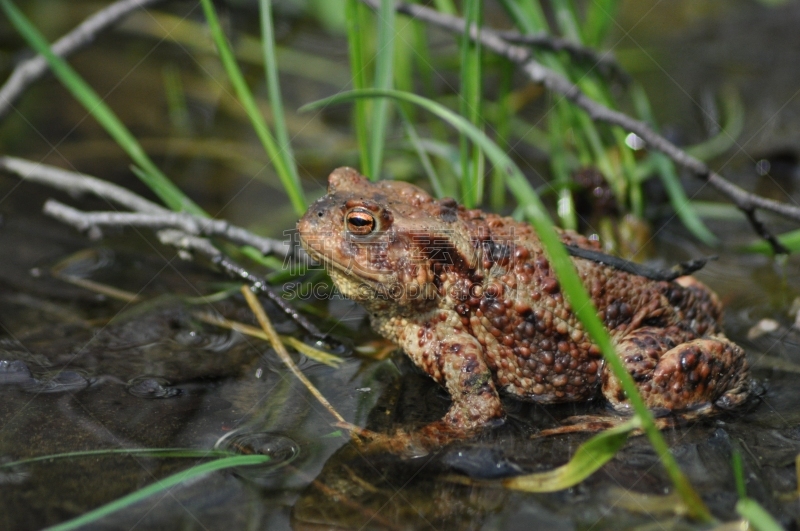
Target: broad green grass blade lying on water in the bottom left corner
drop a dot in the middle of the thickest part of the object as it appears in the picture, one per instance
(159, 486)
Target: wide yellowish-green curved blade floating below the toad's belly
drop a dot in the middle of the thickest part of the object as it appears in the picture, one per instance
(588, 458)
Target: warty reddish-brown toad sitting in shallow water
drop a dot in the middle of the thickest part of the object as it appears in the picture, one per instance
(471, 298)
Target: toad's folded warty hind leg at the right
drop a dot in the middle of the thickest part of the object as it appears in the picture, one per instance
(673, 375)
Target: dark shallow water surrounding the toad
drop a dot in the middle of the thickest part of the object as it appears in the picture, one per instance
(82, 371)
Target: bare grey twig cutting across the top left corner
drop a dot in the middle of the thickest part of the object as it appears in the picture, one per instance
(32, 69)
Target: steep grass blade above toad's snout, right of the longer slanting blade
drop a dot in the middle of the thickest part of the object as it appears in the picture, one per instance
(274, 88)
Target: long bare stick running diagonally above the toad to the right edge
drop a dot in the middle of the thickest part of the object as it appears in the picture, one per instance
(538, 73)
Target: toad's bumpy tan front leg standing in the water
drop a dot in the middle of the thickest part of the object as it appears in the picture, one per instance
(450, 355)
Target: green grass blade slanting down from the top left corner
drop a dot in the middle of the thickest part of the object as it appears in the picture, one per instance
(170, 194)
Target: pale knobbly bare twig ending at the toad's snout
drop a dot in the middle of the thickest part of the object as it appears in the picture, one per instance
(188, 223)
